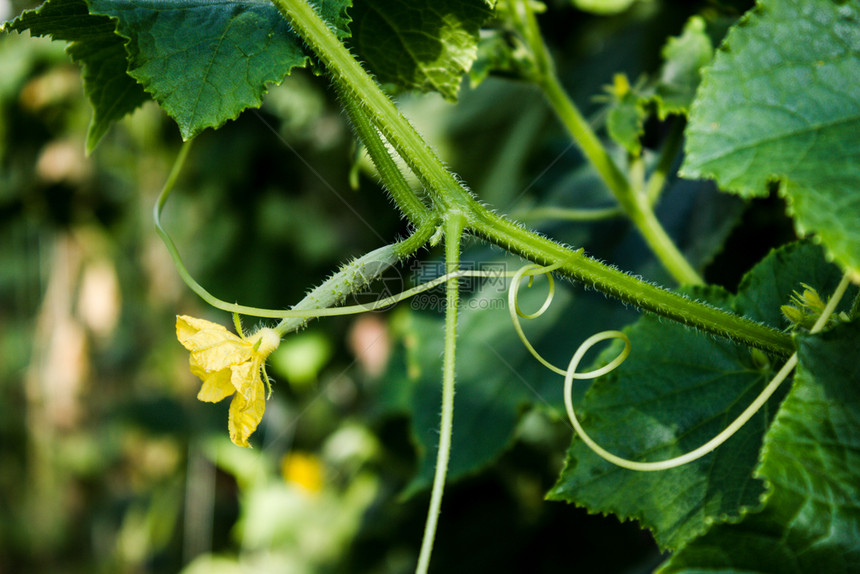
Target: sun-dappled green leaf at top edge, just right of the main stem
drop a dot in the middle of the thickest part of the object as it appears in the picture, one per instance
(419, 45)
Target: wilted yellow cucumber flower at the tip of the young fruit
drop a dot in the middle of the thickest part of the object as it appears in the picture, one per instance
(228, 364)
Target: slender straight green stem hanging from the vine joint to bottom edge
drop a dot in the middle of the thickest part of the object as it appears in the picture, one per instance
(454, 225)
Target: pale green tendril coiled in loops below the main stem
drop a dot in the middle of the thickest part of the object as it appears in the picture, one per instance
(570, 374)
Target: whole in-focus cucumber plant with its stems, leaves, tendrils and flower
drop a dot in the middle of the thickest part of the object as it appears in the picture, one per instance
(697, 435)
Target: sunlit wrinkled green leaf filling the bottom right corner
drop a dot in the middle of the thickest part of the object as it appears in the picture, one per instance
(810, 460)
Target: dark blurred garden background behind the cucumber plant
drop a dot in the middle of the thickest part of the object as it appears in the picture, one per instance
(108, 463)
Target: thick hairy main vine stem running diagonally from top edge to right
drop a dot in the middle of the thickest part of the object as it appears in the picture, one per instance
(447, 193)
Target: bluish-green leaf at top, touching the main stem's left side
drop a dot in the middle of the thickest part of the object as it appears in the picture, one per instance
(205, 61)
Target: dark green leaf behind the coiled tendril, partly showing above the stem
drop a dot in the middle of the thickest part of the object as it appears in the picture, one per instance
(676, 391)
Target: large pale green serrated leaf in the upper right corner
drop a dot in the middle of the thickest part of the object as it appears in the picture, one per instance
(780, 102)
